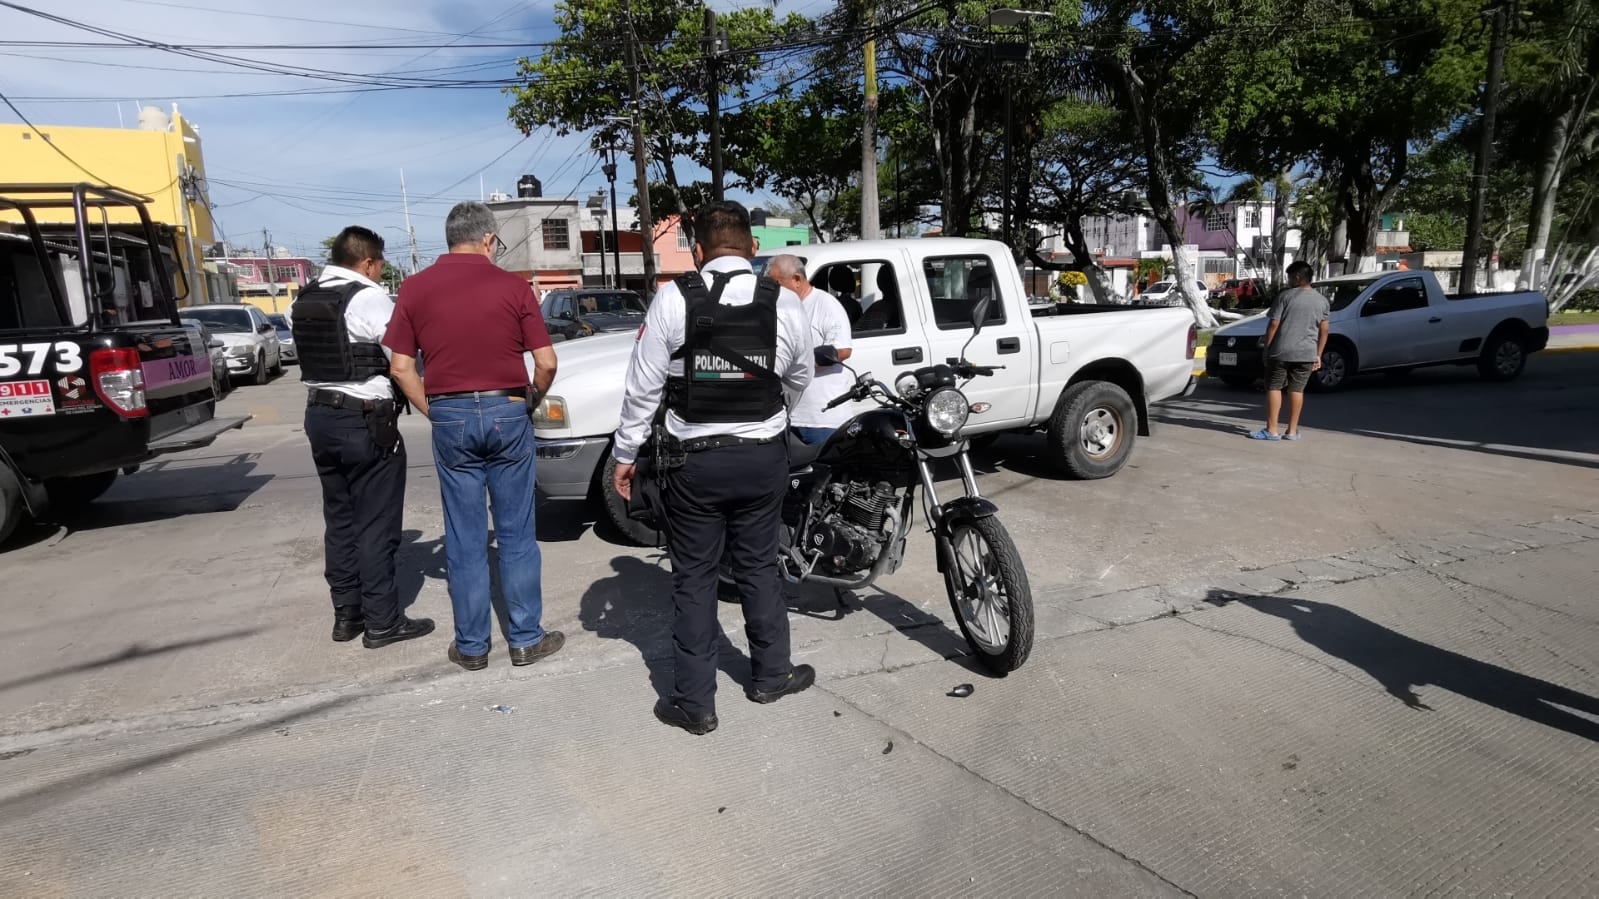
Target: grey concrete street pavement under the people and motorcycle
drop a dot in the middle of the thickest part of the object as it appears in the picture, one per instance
(1357, 665)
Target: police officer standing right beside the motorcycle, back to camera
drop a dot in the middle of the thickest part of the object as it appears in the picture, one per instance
(724, 351)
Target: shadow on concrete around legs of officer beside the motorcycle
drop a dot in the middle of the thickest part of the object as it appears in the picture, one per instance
(636, 605)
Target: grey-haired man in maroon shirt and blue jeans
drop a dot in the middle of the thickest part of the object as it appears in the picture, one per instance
(474, 322)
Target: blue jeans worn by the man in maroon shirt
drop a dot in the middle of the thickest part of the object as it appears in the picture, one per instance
(487, 444)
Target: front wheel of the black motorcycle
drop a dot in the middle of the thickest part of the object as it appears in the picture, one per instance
(991, 596)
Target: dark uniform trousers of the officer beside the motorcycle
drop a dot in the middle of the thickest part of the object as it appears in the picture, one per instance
(728, 498)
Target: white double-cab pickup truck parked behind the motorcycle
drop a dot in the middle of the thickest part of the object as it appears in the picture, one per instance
(1087, 375)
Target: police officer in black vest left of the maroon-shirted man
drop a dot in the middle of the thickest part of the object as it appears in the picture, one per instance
(353, 423)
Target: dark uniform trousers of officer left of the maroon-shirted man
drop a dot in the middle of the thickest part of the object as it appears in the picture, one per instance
(362, 503)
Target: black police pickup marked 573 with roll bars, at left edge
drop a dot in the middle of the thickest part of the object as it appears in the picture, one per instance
(97, 372)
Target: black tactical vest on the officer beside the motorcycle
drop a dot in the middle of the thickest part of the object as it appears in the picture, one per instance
(730, 354)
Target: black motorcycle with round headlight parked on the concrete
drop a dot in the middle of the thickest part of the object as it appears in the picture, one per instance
(851, 505)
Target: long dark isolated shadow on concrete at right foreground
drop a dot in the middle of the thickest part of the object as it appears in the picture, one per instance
(1403, 665)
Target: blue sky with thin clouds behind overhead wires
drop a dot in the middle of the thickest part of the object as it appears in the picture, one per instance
(306, 166)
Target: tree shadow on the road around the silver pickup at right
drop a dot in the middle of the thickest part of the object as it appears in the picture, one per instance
(1545, 415)
